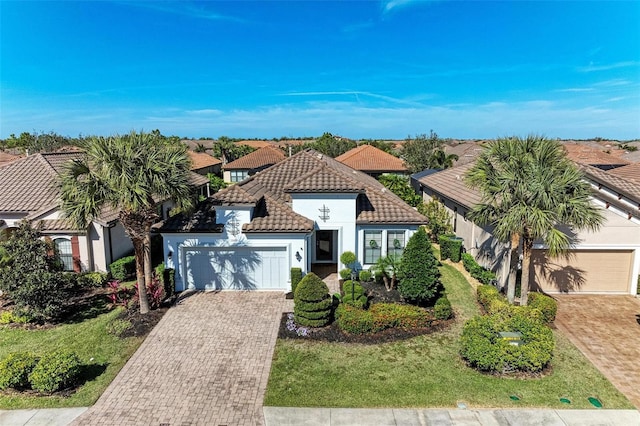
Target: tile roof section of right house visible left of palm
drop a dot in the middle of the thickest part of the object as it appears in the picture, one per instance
(449, 183)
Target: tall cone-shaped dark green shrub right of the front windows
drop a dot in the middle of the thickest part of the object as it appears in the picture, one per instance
(418, 274)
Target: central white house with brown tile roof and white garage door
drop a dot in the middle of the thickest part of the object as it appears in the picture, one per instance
(303, 211)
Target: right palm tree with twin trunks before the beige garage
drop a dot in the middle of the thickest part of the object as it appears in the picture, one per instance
(529, 189)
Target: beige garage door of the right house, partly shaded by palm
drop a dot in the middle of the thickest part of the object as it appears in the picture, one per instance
(585, 271)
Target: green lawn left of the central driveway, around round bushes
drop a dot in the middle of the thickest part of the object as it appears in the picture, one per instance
(91, 342)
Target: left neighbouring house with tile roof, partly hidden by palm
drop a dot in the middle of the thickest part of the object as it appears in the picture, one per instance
(30, 192)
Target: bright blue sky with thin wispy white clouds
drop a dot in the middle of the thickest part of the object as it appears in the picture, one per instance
(360, 69)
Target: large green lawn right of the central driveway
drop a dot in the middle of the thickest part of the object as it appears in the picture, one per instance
(425, 371)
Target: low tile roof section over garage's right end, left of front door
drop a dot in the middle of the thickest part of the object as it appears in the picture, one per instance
(272, 216)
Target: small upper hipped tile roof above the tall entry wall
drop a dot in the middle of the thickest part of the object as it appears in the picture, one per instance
(324, 179)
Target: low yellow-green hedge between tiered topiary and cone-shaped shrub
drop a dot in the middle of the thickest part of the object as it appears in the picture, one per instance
(381, 316)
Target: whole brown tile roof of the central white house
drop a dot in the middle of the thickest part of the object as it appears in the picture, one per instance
(307, 171)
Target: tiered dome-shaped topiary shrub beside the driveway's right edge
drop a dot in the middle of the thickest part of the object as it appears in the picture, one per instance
(312, 303)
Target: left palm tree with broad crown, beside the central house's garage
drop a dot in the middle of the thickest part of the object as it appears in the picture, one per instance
(128, 173)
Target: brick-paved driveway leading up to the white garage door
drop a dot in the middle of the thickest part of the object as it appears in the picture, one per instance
(207, 362)
